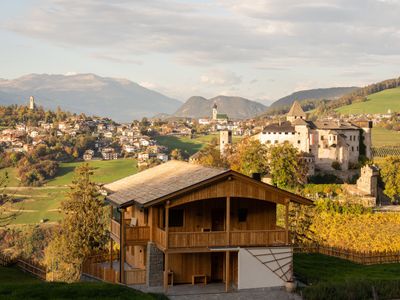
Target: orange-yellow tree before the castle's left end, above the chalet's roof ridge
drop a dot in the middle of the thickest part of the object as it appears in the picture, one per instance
(249, 156)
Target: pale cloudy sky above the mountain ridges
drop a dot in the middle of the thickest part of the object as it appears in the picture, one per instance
(259, 49)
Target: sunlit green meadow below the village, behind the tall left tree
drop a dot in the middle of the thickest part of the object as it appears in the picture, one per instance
(42, 203)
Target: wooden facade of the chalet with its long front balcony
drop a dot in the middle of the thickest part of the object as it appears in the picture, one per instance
(200, 228)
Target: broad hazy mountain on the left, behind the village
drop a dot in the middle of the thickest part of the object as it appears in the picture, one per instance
(120, 99)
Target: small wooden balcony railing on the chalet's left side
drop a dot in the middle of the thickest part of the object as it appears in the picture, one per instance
(133, 234)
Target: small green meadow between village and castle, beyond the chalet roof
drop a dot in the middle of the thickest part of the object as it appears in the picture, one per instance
(188, 145)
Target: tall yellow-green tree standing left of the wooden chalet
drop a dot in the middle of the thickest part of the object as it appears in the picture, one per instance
(83, 229)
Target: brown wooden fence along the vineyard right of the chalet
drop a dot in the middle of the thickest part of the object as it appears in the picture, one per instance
(365, 258)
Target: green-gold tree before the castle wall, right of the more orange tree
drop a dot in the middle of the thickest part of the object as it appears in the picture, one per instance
(287, 168)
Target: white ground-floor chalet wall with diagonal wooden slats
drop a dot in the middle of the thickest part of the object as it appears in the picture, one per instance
(254, 270)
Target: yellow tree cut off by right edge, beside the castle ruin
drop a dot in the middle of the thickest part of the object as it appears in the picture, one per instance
(391, 176)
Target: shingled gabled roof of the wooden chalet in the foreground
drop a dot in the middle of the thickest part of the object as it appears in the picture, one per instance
(176, 178)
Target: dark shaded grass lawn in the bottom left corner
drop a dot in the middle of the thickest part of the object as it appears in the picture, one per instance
(15, 284)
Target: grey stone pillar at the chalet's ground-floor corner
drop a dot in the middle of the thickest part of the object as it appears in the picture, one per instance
(155, 266)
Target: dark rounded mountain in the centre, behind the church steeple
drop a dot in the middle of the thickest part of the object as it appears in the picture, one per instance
(234, 107)
